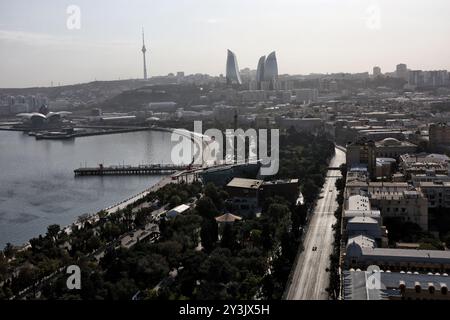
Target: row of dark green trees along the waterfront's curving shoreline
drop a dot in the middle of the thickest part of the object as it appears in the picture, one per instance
(56, 249)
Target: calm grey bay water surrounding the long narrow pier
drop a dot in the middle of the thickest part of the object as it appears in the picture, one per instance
(52, 193)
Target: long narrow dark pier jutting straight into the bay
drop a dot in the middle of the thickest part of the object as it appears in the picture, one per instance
(152, 169)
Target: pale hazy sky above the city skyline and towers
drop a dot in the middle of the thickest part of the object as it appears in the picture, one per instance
(36, 46)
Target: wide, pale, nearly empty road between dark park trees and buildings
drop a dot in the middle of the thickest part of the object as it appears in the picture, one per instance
(310, 278)
